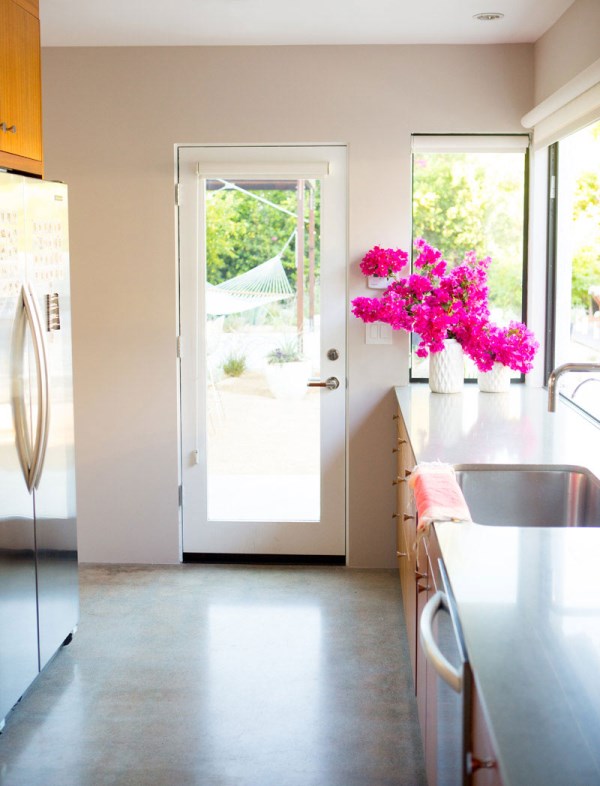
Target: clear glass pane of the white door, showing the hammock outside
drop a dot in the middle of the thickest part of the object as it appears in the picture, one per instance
(262, 346)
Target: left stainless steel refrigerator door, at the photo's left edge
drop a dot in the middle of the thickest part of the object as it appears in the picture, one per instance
(18, 615)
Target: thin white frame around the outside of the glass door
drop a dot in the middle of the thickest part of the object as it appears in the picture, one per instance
(181, 197)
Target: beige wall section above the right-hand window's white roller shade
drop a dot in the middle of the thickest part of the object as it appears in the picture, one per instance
(569, 47)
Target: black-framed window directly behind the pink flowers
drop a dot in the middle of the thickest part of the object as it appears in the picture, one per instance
(469, 193)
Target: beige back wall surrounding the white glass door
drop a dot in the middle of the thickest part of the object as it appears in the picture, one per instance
(111, 120)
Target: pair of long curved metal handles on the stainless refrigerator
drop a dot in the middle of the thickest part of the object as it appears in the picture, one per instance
(31, 455)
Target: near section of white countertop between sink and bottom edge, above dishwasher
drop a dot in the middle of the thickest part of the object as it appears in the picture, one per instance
(529, 605)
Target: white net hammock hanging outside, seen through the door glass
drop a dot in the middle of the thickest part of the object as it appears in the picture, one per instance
(265, 283)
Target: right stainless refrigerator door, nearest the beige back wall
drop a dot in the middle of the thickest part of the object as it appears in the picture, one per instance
(48, 275)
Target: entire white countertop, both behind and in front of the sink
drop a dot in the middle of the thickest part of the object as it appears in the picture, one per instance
(528, 598)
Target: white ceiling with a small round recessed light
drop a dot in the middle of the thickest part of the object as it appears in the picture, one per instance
(265, 22)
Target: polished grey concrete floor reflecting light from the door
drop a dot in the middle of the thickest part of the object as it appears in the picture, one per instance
(199, 675)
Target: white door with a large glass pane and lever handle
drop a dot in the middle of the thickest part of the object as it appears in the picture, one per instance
(262, 241)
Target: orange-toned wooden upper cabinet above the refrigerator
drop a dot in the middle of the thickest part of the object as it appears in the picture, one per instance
(20, 87)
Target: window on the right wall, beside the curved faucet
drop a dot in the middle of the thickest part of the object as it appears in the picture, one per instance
(574, 261)
